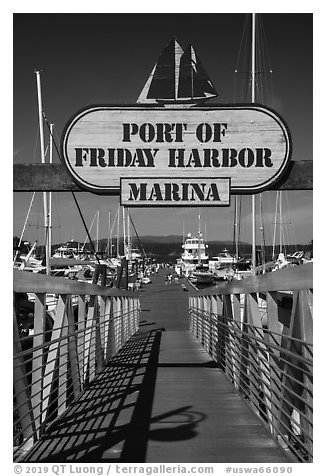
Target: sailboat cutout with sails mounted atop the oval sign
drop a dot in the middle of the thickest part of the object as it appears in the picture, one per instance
(177, 77)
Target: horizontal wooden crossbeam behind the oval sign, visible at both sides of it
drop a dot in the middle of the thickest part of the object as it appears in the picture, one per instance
(55, 178)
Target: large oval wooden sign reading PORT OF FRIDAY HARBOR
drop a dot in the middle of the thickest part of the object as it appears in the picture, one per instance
(248, 144)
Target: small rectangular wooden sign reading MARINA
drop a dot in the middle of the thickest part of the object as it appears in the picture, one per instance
(177, 192)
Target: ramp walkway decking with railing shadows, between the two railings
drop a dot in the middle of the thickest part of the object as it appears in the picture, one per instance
(162, 399)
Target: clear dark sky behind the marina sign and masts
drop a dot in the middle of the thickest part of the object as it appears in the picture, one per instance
(106, 58)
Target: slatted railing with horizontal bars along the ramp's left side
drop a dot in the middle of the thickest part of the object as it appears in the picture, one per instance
(56, 355)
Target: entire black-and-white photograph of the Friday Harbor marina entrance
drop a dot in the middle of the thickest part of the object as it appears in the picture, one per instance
(162, 241)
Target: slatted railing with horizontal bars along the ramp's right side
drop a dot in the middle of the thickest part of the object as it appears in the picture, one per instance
(259, 331)
